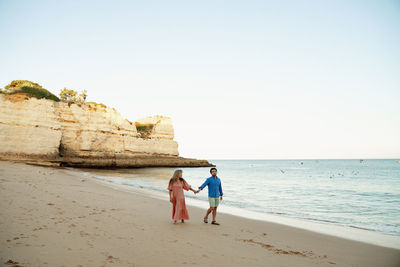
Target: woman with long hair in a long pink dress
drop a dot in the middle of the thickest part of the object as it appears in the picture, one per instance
(177, 197)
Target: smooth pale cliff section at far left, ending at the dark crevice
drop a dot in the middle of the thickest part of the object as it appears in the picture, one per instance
(29, 127)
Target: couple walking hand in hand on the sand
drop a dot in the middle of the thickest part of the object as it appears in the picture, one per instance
(177, 197)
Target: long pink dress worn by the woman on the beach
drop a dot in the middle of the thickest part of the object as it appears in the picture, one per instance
(179, 211)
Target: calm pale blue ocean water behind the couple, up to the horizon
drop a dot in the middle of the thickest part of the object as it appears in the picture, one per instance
(351, 194)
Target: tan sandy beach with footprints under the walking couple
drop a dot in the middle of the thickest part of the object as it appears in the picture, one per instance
(55, 217)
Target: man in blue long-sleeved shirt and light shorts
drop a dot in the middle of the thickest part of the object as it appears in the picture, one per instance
(214, 194)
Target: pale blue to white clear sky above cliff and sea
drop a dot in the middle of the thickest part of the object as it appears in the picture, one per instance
(240, 79)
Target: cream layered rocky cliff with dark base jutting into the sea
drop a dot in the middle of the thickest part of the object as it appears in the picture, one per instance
(85, 135)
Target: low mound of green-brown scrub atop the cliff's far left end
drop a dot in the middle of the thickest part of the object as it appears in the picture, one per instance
(30, 88)
